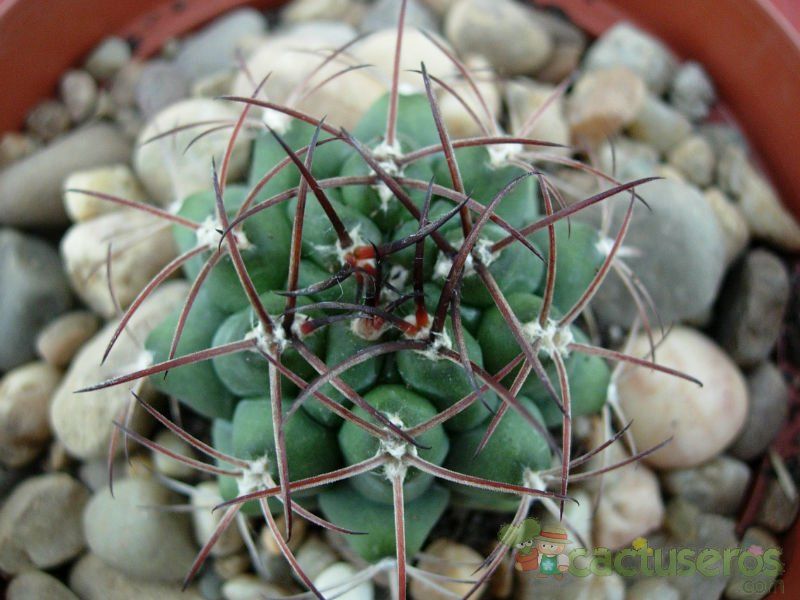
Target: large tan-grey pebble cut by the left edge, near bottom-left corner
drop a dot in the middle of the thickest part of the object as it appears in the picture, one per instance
(40, 523)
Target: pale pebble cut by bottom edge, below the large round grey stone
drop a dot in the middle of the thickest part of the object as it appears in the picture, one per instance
(93, 579)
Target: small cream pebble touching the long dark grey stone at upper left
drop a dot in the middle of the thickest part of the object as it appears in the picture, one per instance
(114, 180)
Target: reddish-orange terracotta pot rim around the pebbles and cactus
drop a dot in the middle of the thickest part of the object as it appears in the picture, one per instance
(750, 47)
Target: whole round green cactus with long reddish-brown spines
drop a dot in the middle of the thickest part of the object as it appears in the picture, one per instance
(383, 324)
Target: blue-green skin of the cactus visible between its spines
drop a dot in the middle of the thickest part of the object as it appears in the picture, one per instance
(408, 384)
